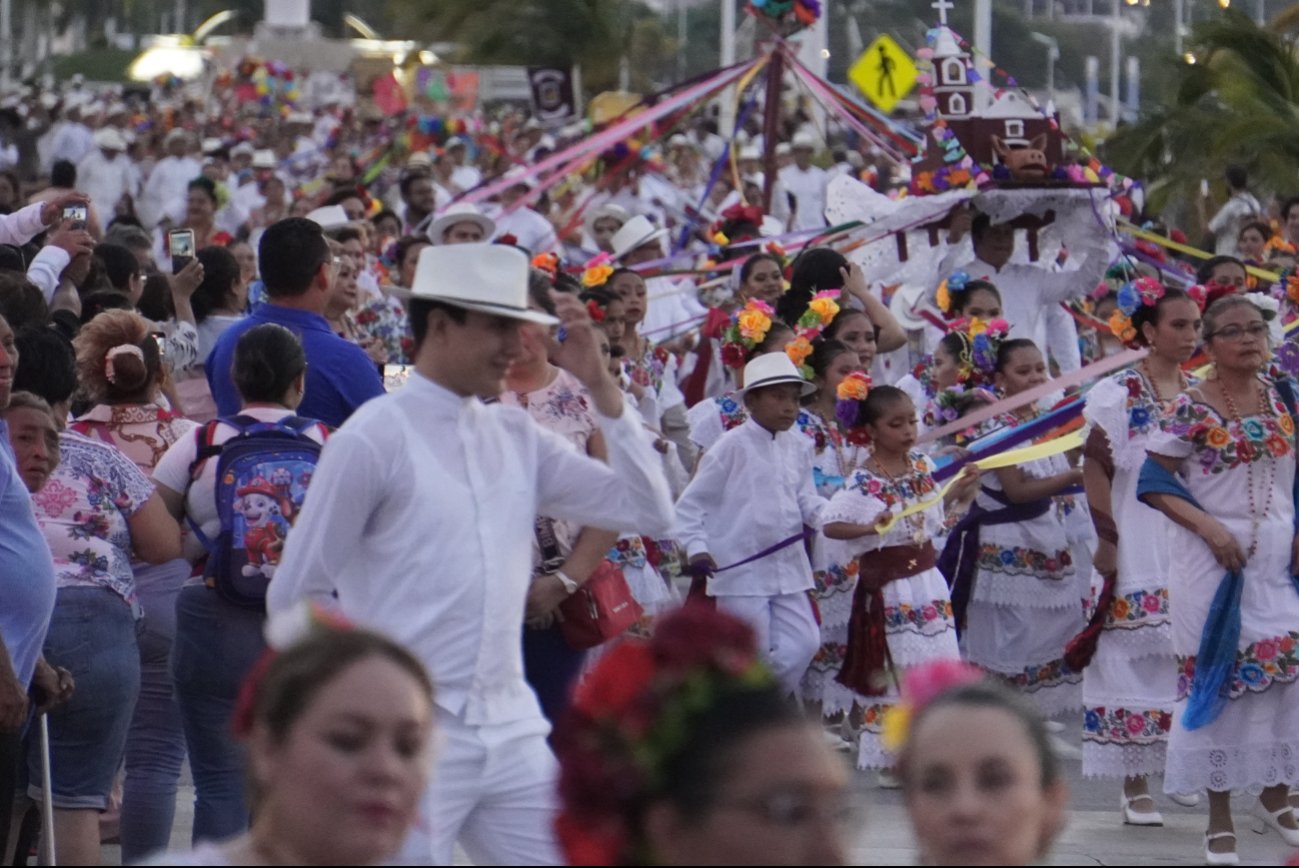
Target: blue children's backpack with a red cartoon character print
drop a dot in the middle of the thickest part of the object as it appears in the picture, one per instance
(263, 474)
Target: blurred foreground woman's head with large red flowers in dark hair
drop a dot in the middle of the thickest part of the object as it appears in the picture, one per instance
(684, 752)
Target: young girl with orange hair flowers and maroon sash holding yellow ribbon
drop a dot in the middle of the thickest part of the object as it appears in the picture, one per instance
(889, 514)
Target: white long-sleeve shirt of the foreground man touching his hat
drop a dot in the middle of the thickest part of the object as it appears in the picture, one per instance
(422, 518)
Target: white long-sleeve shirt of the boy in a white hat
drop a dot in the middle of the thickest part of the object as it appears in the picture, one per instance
(753, 489)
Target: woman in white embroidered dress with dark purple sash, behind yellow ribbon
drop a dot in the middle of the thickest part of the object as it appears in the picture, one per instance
(1015, 588)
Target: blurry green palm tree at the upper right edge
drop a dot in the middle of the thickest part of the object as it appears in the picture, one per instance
(1237, 103)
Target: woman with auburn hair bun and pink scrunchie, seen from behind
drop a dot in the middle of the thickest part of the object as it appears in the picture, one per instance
(121, 370)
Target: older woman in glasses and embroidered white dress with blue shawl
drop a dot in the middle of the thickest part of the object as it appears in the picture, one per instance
(1223, 468)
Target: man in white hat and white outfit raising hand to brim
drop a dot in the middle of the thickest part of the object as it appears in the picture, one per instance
(422, 520)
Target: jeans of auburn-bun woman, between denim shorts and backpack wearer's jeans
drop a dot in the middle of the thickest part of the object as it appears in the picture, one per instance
(155, 744)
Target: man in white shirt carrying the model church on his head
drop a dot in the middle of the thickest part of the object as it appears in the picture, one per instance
(1031, 294)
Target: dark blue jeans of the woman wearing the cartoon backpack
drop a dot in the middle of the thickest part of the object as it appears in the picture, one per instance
(216, 646)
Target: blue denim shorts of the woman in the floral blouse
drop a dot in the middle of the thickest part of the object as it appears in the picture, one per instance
(93, 636)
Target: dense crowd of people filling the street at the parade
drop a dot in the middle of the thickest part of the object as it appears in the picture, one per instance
(338, 505)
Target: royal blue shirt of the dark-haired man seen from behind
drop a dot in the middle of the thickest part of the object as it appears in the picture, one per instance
(340, 375)
